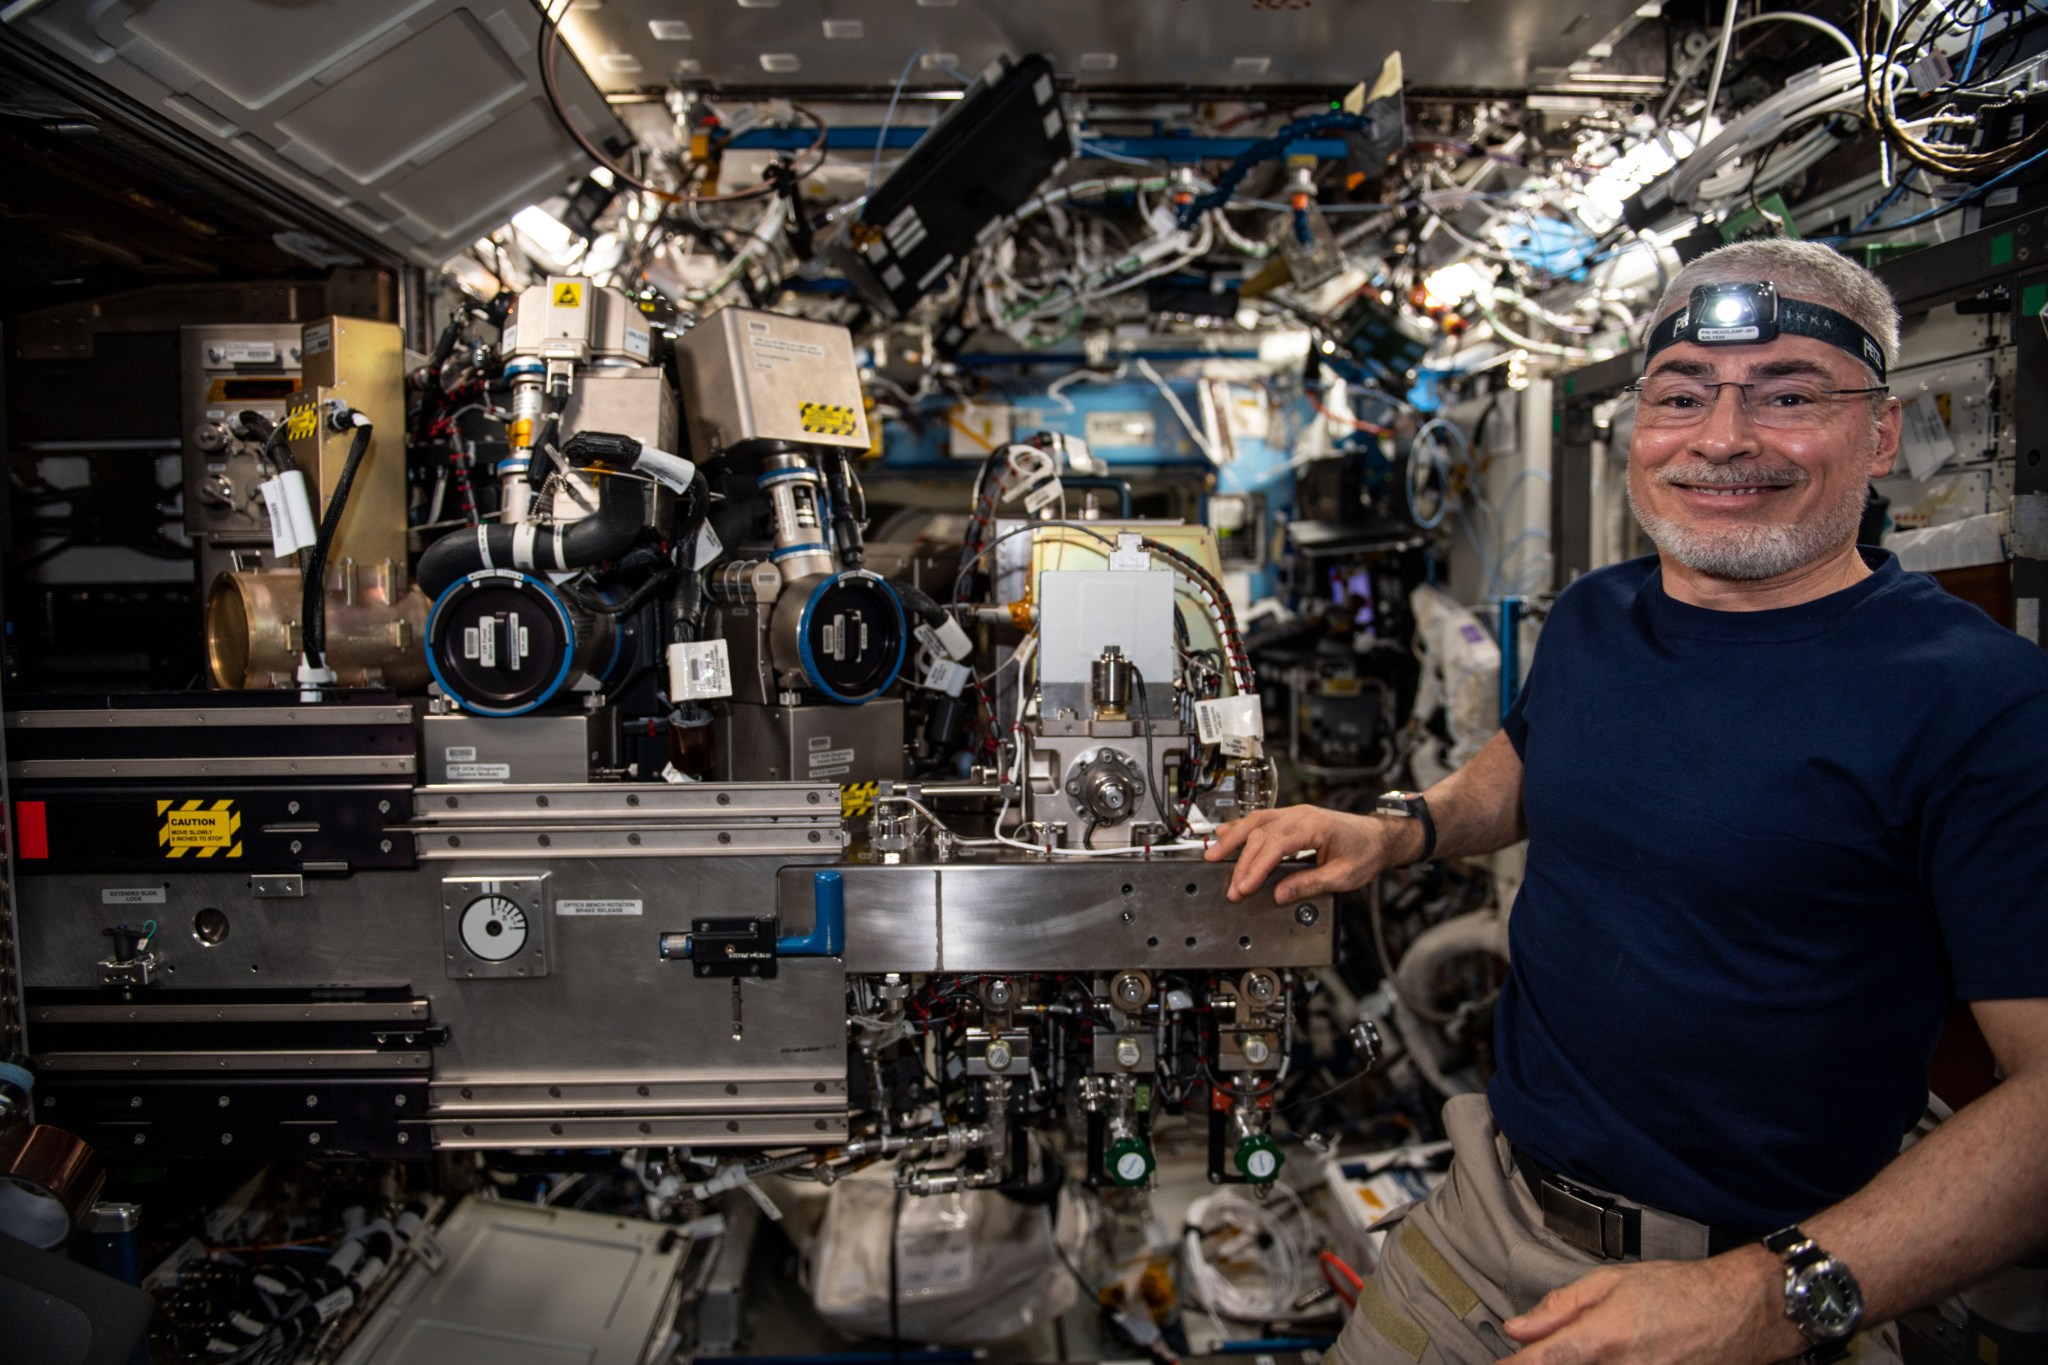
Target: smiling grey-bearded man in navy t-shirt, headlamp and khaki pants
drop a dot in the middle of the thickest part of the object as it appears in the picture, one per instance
(1785, 805)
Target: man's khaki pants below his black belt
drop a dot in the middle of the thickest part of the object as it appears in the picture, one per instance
(1474, 1256)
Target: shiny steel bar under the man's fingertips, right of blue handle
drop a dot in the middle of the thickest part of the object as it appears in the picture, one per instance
(1033, 916)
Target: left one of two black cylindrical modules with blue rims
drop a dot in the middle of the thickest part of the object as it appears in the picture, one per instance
(503, 644)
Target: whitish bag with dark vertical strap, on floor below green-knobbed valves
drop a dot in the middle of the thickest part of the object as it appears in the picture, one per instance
(972, 1268)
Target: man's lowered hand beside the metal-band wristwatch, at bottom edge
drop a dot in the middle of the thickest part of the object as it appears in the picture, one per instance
(1725, 1311)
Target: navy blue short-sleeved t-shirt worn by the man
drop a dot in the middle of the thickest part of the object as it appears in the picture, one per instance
(1766, 852)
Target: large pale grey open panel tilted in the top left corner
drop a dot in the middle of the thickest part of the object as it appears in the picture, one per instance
(419, 122)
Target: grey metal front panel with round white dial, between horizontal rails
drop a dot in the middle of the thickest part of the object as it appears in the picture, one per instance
(609, 1012)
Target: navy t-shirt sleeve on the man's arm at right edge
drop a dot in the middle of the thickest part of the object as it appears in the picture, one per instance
(1986, 852)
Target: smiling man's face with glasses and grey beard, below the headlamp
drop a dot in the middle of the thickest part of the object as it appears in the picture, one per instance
(1742, 500)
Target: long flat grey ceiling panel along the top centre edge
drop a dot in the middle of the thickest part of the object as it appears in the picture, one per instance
(1205, 44)
